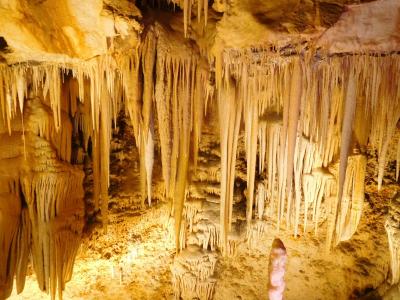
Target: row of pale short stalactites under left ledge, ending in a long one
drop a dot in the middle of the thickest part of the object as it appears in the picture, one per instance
(89, 91)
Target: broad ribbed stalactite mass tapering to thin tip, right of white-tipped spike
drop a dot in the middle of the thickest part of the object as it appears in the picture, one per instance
(179, 78)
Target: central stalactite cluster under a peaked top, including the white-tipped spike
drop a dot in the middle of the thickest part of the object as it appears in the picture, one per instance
(178, 91)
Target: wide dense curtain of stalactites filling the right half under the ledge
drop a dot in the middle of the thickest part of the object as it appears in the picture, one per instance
(311, 111)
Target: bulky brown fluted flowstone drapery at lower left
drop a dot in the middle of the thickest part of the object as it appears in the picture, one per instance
(56, 209)
